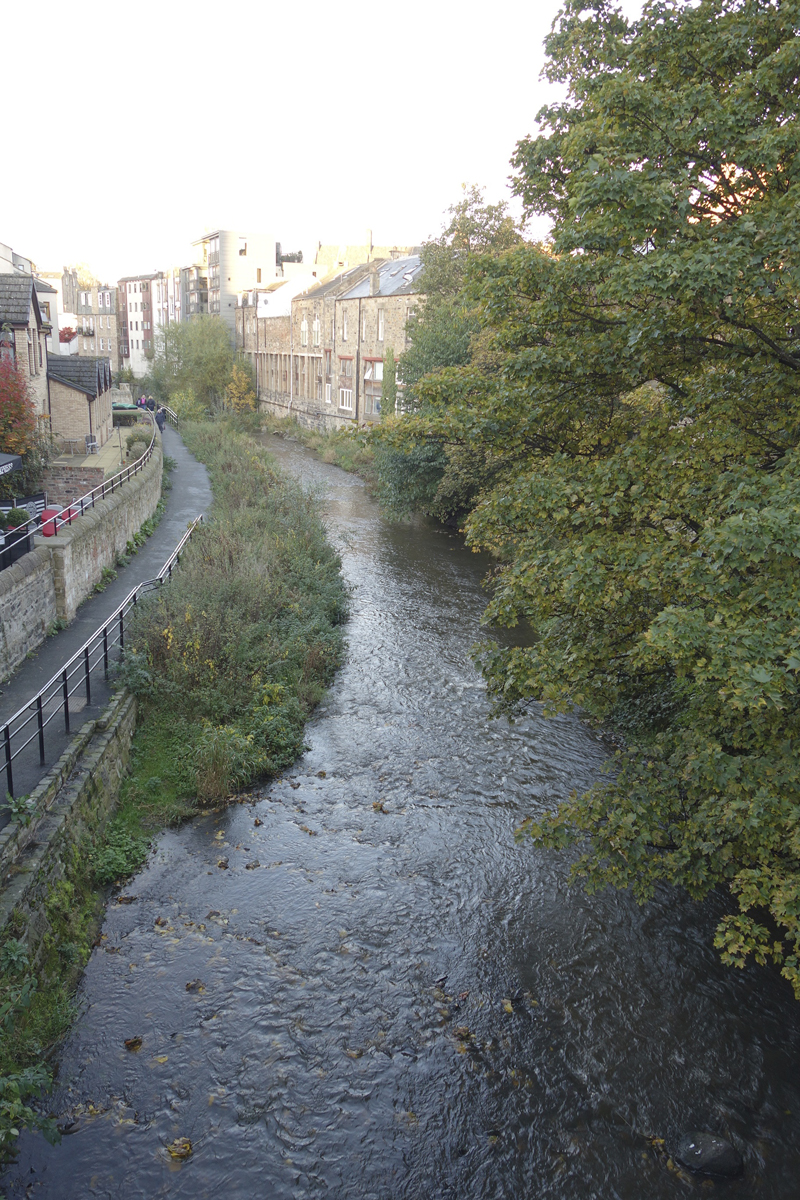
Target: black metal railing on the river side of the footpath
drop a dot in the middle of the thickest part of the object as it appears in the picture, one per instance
(31, 723)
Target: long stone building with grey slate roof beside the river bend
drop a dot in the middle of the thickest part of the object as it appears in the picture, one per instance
(324, 365)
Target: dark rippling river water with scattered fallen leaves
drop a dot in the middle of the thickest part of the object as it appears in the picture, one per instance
(399, 1003)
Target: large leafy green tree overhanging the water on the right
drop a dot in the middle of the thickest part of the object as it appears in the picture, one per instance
(646, 407)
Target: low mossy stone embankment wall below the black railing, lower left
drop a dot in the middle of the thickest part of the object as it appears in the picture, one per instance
(70, 808)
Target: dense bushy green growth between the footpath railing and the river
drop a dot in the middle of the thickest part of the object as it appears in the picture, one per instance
(242, 645)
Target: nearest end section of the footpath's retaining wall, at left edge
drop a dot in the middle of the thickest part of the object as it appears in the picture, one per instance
(28, 608)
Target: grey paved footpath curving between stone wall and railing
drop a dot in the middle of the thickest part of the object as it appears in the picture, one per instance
(190, 496)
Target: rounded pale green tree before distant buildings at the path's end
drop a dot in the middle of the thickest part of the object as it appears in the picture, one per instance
(195, 356)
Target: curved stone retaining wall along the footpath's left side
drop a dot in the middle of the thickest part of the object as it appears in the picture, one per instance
(62, 572)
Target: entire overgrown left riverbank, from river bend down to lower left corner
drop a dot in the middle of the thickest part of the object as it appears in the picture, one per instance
(227, 665)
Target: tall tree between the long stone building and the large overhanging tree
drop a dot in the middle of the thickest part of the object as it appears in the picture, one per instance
(442, 482)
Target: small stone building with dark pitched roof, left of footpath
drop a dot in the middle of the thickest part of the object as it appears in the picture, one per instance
(81, 404)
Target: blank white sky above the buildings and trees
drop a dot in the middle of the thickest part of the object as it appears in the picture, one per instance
(154, 122)
